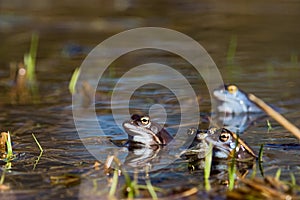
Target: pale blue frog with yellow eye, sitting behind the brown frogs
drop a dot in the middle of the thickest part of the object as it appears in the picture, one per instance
(233, 100)
